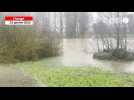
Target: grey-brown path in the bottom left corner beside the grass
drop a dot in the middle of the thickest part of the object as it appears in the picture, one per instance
(11, 76)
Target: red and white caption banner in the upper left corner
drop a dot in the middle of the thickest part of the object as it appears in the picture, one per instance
(18, 20)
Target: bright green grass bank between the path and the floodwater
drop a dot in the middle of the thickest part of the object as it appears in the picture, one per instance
(49, 73)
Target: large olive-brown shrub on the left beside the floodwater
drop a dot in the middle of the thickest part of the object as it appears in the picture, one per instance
(23, 45)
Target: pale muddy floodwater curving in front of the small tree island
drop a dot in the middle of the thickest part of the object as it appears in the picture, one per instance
(78, 52)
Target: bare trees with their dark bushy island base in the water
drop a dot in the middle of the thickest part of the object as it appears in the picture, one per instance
(112, 33)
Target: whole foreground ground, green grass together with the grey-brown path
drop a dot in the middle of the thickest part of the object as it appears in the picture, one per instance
(50, 72)
